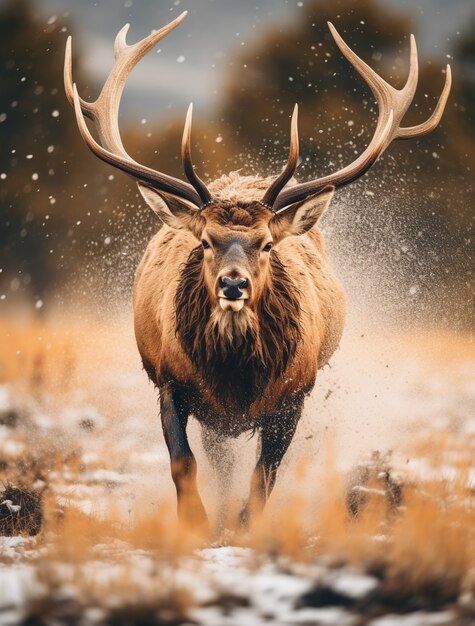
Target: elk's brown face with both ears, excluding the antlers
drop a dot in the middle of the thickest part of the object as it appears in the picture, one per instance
(237, 241)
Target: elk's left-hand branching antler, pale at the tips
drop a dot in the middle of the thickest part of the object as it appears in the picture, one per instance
(104, 112)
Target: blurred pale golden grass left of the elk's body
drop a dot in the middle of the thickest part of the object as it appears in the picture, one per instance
(54, 361)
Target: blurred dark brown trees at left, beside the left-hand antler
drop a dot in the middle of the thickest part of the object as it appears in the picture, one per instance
(63, 216)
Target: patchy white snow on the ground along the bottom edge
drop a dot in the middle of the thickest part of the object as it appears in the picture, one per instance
(229, 586)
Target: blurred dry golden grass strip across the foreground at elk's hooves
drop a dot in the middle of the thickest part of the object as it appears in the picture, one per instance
(426, 548)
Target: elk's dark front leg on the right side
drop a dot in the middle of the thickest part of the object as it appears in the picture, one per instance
(275, 440)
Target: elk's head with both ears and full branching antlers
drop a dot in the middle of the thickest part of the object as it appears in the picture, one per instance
(237, 239)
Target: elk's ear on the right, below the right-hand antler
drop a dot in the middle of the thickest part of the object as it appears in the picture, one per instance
(299, 217)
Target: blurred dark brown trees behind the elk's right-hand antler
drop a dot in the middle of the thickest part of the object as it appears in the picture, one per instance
(422, 209)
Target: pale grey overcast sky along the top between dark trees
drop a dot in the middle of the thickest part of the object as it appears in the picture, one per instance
(194, 59)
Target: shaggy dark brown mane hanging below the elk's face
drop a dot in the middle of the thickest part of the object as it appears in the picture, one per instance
(237, 354)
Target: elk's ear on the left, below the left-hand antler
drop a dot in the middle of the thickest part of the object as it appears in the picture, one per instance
(173, 211)
